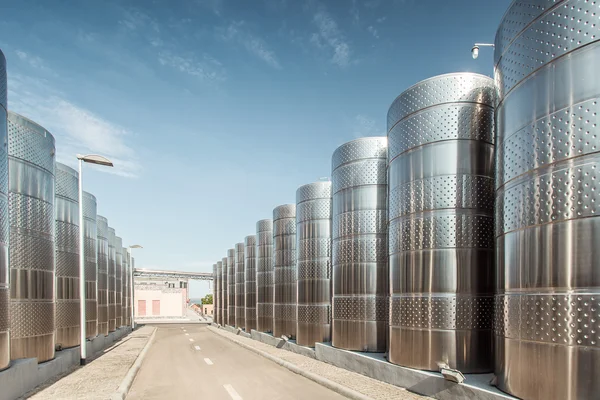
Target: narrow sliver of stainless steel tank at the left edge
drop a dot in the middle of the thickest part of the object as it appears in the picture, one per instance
(4, 223)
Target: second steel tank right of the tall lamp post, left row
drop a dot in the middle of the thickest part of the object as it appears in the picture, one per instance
(102, 244)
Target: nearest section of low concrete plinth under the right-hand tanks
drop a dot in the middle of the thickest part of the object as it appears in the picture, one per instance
(432, 384)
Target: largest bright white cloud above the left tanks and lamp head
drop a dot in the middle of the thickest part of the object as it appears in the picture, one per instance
(75, 129)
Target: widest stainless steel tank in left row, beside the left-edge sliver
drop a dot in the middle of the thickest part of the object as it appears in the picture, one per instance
(32, 259)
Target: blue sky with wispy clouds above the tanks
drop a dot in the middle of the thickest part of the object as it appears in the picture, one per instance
(215, 111)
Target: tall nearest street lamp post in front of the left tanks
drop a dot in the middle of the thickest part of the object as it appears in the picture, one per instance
(99, 160)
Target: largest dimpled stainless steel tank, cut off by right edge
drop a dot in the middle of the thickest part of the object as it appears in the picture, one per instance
(547, 329)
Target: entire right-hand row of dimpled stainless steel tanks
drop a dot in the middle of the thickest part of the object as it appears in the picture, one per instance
(468, 236)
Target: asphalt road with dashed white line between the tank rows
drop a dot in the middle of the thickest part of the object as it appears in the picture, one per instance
(190, 362)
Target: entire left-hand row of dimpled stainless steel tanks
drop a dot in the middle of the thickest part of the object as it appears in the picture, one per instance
(39, 248)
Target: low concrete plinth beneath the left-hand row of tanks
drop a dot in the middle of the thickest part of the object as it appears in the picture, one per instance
(26, 374)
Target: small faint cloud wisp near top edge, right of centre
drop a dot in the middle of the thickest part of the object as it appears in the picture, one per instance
(329, 36)
